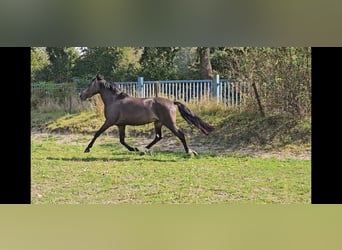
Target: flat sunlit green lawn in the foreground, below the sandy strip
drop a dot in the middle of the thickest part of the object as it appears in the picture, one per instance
(62, 174)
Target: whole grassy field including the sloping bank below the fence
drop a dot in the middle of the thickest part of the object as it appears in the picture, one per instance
(62, 173)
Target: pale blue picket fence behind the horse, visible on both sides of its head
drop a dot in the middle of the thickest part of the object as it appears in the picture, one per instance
(229, 92)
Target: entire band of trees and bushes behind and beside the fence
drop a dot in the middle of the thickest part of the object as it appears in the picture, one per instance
(279, 77)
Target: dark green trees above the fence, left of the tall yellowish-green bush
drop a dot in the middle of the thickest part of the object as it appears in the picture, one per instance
(115, 63)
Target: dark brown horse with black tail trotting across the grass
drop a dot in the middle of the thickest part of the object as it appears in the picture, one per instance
(121, 109)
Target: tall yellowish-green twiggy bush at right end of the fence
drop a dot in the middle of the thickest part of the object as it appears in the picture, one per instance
(282, 75)
